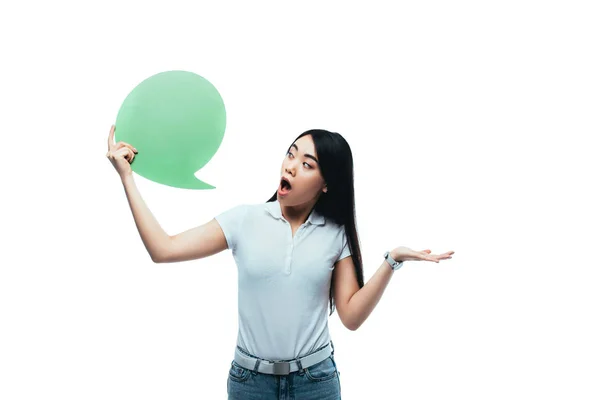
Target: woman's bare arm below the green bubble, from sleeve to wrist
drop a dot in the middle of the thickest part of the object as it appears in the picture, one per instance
(195, 243)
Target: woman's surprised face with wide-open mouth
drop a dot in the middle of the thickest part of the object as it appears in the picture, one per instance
(301, 168)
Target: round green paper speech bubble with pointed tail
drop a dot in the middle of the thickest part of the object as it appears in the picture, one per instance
(176, 121)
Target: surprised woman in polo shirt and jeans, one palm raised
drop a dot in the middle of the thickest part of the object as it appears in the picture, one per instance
(295, 254)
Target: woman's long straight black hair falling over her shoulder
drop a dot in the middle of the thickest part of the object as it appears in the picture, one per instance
(337, 168)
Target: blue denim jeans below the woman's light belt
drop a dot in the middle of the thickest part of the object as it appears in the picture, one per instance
(319, 382)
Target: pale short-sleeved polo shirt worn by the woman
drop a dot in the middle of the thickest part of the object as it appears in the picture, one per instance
(283, 282)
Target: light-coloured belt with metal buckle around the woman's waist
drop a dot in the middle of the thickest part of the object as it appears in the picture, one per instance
(281, 367)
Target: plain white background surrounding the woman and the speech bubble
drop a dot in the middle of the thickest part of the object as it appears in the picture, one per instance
(471, 125)
